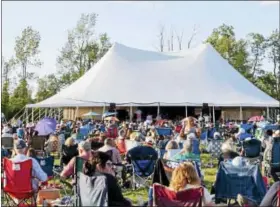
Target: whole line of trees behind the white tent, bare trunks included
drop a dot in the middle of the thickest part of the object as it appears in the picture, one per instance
(84, 47)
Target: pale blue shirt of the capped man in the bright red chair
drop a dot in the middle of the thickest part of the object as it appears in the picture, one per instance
(37, 172)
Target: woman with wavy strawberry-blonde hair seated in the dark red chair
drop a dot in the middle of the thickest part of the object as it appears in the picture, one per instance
(185, 177)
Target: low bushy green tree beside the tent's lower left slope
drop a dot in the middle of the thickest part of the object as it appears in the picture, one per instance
(47, 87)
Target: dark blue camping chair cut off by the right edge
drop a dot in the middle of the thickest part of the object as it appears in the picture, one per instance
(274, 162)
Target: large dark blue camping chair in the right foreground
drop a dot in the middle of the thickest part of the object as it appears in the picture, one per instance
(232, 180)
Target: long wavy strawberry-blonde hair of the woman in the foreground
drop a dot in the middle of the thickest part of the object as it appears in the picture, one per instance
(184, 174)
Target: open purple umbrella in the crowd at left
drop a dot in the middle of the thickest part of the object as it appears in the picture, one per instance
(46, 126)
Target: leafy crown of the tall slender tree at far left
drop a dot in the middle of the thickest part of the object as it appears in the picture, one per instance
(26, 51)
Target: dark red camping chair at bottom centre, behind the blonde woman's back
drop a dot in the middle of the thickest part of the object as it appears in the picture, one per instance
(163, 196)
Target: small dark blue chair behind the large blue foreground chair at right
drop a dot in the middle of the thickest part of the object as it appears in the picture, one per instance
(252, 150)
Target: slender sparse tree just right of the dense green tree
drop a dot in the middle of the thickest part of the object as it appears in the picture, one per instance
(257, 44)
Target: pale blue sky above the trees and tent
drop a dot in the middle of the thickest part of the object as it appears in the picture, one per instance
(134, 24)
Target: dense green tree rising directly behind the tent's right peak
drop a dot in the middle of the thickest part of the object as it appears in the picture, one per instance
(235, 51)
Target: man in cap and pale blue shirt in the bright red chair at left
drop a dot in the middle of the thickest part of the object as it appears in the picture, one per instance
(38, 174)
